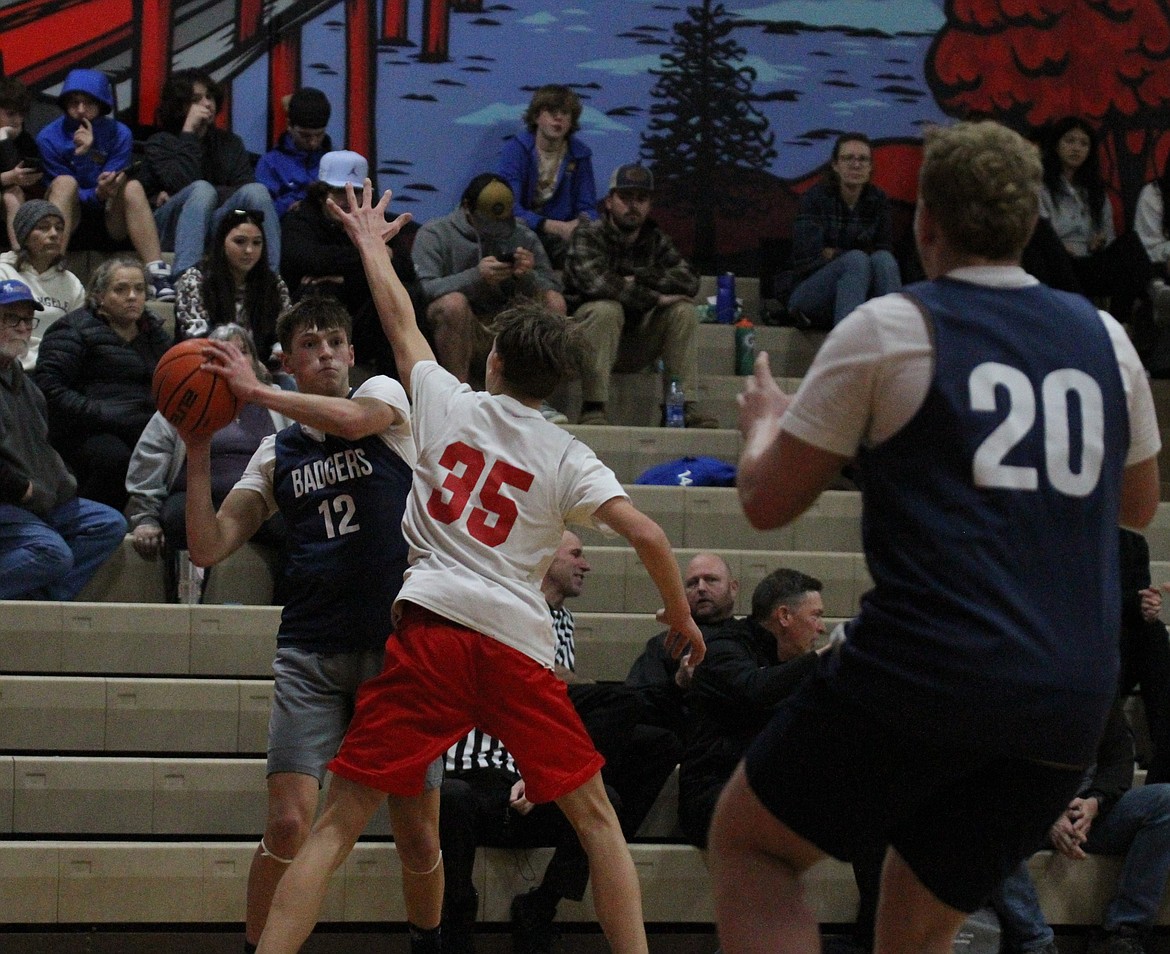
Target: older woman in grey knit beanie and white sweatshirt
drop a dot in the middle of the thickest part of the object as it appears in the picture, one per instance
(38, 262)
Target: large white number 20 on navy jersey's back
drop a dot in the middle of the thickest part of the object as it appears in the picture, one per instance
(1056, 392)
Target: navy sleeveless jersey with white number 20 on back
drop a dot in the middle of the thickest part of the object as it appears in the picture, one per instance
(990, 529)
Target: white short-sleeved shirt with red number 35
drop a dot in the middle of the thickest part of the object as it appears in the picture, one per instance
(493, 491)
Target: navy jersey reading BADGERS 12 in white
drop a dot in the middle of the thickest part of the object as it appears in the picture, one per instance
(343, 504)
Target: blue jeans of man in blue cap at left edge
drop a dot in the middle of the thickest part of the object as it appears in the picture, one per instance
(56, 558)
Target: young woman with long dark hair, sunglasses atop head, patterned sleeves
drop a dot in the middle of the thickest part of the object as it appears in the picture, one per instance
(233, 284)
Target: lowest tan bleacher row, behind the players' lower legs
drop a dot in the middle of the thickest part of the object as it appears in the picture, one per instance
(111, 882)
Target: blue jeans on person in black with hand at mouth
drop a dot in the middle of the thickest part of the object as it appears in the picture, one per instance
(189, 219)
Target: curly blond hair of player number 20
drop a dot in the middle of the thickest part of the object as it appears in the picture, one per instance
(981, 183)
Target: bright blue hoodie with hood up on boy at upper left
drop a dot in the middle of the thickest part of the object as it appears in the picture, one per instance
(113, 141)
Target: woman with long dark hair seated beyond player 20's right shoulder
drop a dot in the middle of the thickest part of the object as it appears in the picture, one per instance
(1076, 203)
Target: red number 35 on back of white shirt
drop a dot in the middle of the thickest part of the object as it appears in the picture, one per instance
(466, 466)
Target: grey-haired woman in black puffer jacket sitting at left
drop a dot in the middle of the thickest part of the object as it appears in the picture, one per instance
(95, 368)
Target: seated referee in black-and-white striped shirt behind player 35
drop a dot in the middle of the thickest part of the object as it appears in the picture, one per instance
(484, 804)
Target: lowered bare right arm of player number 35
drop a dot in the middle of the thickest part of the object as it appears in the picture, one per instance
(653, 548)
